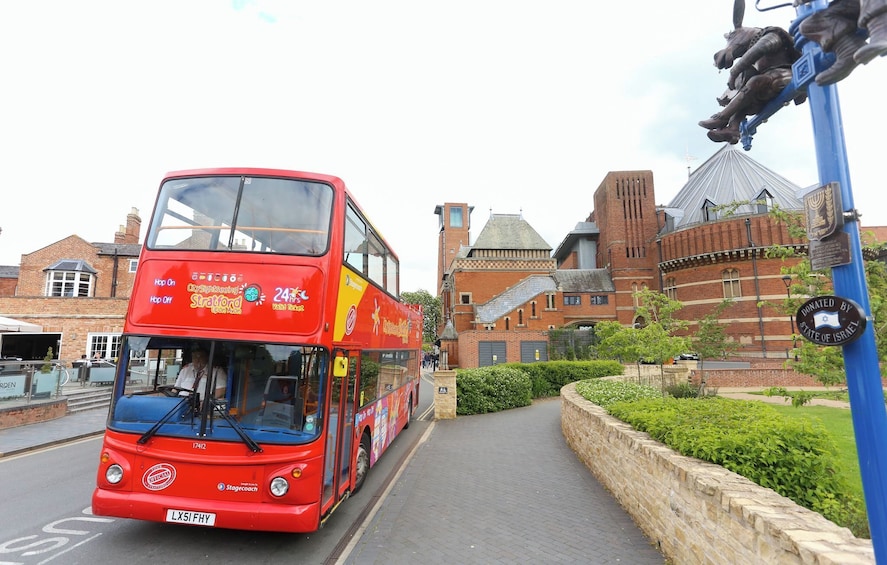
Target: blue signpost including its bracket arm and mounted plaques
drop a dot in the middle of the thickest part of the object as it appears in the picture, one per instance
(843, 252)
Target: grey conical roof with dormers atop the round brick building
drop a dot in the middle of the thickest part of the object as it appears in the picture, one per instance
(730, 176)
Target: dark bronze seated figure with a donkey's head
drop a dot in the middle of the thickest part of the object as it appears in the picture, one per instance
(760, 61)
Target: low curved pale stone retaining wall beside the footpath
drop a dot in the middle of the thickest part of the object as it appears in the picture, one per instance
(698, 512)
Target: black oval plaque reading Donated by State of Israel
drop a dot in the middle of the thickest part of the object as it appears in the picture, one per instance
(830, 320)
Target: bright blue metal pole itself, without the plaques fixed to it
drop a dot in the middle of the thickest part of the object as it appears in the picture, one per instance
(860, 356)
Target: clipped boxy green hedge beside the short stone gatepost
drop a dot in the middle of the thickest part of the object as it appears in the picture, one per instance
(491, 389)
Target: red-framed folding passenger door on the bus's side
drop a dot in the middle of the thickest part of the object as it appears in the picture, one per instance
(340, 428)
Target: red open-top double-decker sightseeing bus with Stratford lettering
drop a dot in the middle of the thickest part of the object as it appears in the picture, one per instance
(266, 361)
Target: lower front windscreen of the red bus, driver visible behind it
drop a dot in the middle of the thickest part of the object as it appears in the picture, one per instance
(223, 390)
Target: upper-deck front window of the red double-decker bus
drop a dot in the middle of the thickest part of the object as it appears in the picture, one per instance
(240, 213)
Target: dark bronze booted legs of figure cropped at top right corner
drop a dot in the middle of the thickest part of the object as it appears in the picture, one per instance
(841, 29)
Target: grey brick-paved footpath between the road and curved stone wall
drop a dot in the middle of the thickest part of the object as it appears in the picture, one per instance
(500, 488)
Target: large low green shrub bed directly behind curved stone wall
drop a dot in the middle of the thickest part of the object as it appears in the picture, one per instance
(794, 457)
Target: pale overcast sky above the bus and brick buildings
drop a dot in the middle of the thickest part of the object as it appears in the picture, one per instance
(508, 105)
